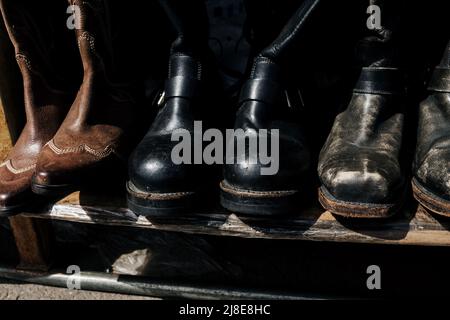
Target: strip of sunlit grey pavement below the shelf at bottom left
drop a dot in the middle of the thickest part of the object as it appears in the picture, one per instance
(13, 290)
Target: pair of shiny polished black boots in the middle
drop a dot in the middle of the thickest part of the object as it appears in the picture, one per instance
(158, 184)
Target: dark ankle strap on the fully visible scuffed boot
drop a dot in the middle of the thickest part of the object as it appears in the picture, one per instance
(383, 81)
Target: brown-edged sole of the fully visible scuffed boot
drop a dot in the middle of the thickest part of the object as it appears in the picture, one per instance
(354, 209)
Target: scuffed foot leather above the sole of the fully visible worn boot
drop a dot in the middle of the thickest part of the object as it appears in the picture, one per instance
(360, 160)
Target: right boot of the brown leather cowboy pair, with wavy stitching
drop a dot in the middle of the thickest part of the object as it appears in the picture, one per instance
(93, 135)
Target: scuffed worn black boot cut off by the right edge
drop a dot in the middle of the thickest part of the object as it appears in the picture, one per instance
(431, 182)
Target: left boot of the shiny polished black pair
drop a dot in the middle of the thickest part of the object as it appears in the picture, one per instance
(156, 183)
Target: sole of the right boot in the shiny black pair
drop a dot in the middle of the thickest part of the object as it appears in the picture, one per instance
(259, 203)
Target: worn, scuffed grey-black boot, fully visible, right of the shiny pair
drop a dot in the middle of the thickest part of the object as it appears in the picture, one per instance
(359, 165)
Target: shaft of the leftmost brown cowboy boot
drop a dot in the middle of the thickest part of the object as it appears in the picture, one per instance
(46, 61)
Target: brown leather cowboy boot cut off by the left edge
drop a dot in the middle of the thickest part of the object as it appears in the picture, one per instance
(46, 104)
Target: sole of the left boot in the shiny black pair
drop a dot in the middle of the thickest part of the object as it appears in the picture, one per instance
(148, 204)
